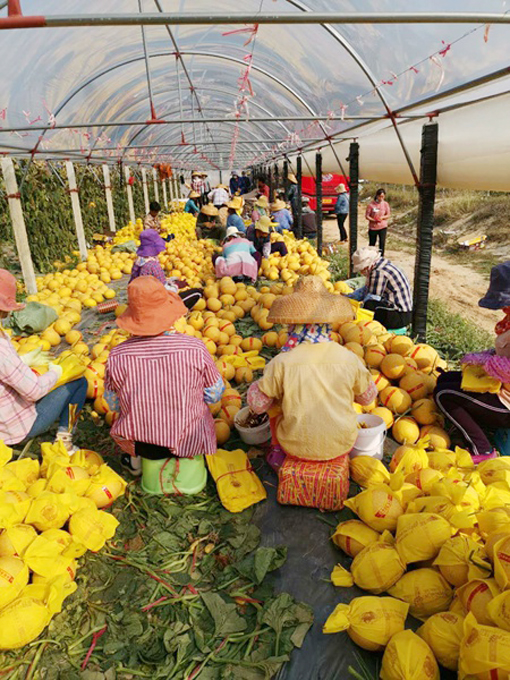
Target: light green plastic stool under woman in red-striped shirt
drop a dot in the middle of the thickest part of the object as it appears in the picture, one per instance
(161, 476)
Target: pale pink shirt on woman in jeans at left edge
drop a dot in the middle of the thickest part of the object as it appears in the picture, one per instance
(20, 388)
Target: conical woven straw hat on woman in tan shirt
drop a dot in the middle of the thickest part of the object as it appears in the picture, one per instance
(311, 302)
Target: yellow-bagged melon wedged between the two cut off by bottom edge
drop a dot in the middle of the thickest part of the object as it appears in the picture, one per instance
(443, 632)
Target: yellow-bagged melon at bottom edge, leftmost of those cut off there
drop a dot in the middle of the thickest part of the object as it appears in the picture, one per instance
(408, 657)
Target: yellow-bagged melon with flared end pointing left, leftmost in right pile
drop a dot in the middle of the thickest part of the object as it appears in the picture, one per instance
(370, 622)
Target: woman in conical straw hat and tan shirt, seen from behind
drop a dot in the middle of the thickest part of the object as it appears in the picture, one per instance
(314, 380)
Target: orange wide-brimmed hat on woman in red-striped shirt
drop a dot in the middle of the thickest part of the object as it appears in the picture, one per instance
(151, 309)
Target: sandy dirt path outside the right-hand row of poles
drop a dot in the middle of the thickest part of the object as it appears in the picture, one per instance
(458, 286)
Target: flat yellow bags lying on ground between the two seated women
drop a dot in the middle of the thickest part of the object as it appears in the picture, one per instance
(238, 486)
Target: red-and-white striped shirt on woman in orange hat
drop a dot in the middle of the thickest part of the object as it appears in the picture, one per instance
(160, 382)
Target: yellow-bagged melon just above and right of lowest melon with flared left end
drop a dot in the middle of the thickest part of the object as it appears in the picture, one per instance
(425, 590)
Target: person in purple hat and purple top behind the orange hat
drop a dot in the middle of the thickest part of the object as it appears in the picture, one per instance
(147, 264)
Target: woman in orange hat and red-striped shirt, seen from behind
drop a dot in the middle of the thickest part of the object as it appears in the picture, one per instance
(160, 381)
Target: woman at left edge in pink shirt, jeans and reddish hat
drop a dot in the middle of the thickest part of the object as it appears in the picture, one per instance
(30, 403)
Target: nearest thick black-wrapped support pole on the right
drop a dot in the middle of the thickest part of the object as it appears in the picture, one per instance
(425, 228)
